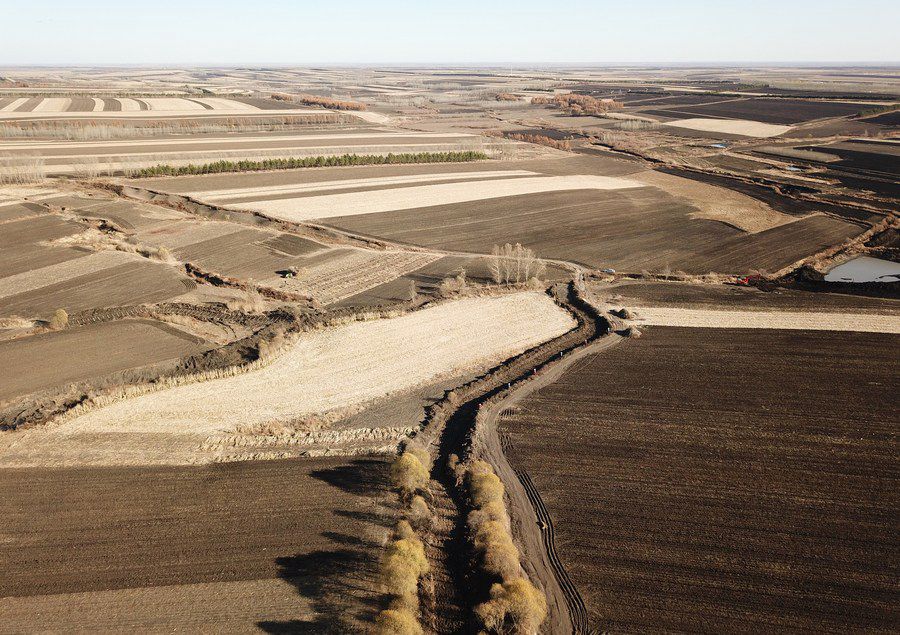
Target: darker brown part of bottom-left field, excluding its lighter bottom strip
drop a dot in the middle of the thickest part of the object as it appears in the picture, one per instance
(315, 523)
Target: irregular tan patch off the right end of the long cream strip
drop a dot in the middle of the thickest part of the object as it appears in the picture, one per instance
(717, 203)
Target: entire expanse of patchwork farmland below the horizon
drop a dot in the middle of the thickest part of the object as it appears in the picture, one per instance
(448, 350)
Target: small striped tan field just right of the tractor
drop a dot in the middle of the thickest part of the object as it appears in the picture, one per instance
(351, 273)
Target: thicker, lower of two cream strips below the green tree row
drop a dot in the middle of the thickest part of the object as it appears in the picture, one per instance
(356, 203)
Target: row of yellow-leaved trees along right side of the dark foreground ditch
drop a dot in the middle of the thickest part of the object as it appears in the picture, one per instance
(514, 604)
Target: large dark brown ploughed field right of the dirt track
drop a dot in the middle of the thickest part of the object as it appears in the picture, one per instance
(727, 481)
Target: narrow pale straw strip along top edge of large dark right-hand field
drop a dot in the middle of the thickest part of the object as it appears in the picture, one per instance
(806, 321)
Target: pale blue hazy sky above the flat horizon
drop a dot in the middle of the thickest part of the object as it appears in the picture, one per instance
(409, 32)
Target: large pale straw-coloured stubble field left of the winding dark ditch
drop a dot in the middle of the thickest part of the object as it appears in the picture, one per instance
(324, 371)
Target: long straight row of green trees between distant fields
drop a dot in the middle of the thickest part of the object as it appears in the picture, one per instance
(291, 163)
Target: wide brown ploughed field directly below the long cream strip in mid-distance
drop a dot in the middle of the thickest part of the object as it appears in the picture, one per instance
(629, 230)
